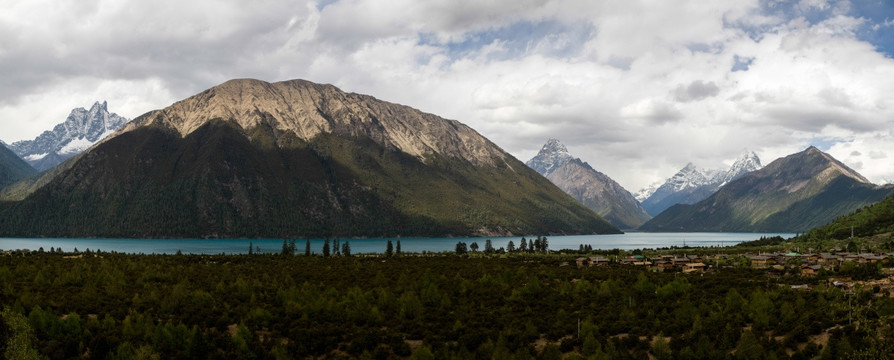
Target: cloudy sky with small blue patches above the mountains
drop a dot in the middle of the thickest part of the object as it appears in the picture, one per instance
(637, 88)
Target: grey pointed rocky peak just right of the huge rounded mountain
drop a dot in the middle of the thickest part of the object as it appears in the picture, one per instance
(592, 188)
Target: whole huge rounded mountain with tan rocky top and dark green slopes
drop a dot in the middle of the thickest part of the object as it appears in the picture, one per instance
(249, 158)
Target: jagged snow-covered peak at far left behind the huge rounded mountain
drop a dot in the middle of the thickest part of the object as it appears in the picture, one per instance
(79, 131)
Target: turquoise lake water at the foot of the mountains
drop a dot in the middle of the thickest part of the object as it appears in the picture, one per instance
(628, 241)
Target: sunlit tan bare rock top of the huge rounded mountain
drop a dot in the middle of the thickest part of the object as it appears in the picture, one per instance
(308, 109)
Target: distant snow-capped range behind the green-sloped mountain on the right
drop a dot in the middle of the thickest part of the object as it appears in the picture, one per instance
(691, 184)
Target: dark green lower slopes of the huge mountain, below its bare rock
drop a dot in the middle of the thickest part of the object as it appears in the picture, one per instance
(221, 182)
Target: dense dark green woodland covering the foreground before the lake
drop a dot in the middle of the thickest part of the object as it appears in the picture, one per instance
(111, 306)
